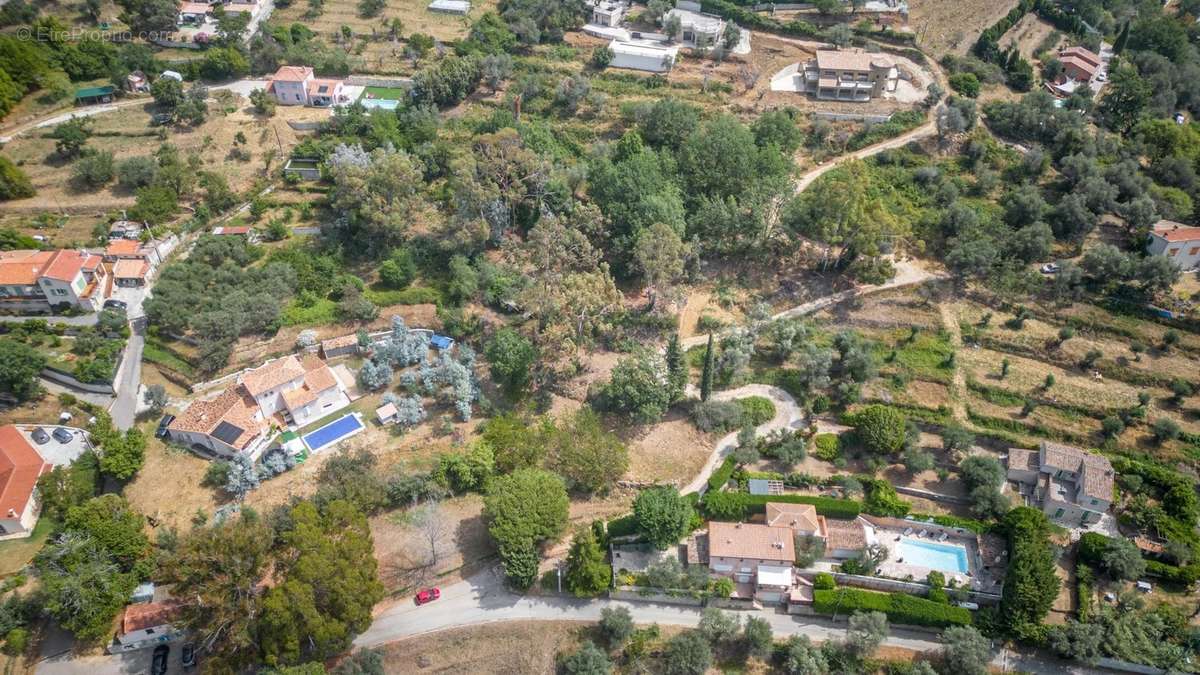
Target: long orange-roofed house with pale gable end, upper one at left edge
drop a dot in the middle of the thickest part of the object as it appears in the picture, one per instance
(41, 282)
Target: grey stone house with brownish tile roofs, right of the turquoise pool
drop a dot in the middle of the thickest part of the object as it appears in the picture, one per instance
(1071, 486)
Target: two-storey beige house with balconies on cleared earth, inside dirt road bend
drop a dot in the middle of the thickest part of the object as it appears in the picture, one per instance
(849, 75)
